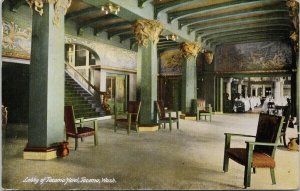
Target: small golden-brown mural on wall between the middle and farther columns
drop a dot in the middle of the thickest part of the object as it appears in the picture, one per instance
(171, 62)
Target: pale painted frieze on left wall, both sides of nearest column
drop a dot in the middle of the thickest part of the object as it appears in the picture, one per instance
(17, 44)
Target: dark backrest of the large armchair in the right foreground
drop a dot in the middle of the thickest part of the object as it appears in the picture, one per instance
(268, 131)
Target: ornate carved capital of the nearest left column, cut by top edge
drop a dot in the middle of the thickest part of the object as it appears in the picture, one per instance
(58, 6)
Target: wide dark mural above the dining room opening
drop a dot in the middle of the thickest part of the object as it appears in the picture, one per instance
(254, 57)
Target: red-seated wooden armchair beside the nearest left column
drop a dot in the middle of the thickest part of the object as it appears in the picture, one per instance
(81, 131)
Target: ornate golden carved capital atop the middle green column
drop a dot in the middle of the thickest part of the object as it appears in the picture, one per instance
(147, 30)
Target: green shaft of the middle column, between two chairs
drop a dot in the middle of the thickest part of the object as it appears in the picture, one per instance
(147, 80)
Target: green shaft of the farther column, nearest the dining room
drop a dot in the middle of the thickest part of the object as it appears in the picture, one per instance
(189, 84)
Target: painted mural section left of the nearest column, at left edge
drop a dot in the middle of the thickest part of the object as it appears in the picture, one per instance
(16, 40)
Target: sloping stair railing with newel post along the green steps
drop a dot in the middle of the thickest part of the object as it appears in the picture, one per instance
(102, 95)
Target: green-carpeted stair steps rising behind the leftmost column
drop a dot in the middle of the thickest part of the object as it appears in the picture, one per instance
(84, 104)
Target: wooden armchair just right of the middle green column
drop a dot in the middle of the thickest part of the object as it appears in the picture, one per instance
(163, 118)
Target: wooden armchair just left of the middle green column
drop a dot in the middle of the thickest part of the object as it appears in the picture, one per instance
(132, 118)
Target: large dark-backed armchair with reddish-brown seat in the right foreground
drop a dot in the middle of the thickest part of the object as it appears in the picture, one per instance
(259, 153)
